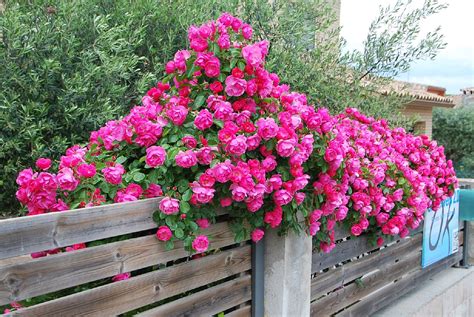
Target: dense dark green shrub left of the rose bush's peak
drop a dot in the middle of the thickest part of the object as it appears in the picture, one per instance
(68, 66)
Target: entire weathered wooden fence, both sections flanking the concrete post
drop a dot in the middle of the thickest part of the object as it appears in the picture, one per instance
(355, 279)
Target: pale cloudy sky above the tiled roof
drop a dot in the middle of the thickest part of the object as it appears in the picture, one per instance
(452, 69)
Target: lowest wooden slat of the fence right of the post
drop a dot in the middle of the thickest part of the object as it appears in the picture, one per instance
(387, 295)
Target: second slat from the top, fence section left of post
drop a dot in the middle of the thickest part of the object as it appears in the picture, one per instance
(32, 277)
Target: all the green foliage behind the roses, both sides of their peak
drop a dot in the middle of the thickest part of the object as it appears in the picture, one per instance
(66, 67)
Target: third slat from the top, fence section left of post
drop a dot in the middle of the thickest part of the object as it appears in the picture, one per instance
(145, 289)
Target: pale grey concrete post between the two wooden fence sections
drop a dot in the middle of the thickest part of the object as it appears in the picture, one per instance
(287, 274)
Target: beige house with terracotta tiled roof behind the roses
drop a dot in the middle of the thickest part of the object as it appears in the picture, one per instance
(424, 99)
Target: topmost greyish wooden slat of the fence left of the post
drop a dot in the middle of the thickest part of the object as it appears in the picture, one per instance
(24, 235)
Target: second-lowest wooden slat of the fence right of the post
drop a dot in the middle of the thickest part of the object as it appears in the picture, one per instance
(351, 293)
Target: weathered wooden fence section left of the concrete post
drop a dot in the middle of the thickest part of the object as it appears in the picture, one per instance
(163, 283)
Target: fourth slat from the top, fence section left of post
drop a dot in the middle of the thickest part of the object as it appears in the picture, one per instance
(207, 302)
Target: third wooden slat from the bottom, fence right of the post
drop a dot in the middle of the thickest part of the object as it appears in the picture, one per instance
(335, 278)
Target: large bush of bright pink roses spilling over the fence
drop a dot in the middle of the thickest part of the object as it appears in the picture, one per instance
(220, 131)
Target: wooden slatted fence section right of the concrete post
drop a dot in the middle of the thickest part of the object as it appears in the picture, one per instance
(358, 278)
